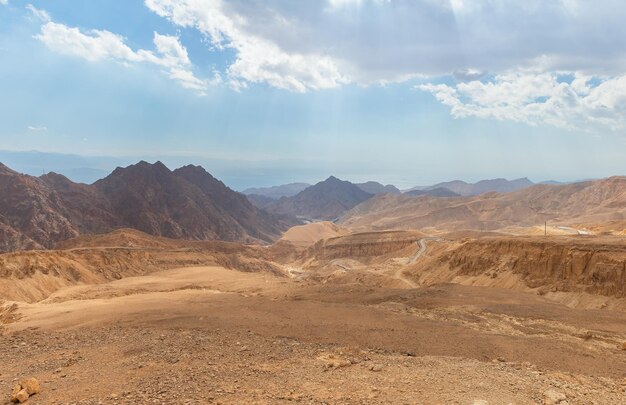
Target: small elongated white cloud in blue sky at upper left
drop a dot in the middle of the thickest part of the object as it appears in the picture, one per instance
(97, 45)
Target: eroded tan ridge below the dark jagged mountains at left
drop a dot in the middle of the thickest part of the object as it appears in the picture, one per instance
(34, 275)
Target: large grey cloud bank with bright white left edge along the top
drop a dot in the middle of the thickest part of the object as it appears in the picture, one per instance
(387, 41)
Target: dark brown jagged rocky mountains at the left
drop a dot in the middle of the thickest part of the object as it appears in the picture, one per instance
(188, 203)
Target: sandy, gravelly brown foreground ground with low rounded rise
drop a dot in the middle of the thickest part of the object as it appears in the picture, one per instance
(212, 335)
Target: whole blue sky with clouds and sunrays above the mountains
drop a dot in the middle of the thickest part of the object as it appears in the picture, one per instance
(266, 92)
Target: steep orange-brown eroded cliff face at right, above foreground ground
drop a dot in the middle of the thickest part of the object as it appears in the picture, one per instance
(554, 265)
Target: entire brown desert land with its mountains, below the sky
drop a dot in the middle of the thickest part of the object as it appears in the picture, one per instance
(155, 286)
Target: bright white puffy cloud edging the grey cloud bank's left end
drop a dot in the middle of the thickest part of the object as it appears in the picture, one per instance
(257, 59)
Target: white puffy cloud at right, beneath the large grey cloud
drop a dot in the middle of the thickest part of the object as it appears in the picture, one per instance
(563, 100)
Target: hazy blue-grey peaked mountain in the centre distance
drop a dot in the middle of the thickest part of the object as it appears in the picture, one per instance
(325, 200)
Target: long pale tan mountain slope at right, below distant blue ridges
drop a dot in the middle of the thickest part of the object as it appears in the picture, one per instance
(587, 203)
